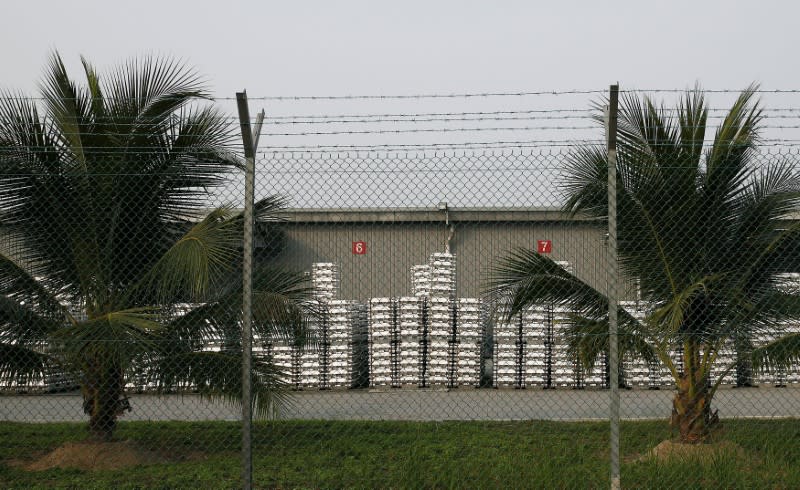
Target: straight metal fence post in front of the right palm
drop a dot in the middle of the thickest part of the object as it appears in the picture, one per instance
(613, 285)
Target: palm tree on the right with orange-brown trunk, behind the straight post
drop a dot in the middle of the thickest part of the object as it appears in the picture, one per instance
(702, 230)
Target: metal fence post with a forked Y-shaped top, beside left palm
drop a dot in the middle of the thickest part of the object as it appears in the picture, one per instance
(250, 142)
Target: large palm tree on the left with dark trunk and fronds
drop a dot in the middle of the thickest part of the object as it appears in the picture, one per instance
(111, 267)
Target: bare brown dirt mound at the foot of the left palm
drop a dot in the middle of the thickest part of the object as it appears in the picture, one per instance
(93, 455)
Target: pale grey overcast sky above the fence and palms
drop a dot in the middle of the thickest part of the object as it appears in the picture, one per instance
(418, 47)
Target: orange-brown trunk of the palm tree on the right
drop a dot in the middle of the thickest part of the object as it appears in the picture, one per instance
(691, 406)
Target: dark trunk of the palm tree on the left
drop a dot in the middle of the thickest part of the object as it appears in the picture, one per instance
(102, 392)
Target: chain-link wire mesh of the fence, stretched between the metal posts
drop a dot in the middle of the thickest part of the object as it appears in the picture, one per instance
(423, 316)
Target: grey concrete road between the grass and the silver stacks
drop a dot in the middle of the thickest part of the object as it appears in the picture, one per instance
(411, 404)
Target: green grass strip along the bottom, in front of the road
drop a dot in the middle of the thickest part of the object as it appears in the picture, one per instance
(320, 454)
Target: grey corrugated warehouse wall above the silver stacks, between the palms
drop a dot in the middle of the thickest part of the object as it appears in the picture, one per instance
(395, 244)
